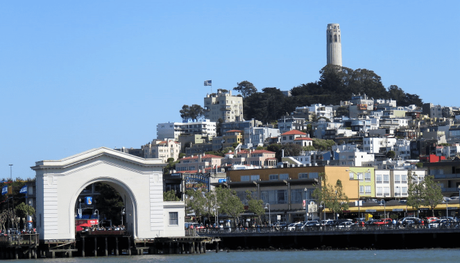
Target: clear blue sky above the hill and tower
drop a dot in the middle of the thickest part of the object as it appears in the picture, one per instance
(77, 75)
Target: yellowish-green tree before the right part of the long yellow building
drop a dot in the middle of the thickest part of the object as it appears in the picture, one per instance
(333, 197)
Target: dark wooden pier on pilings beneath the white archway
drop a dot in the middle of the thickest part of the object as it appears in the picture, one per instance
(101, 243)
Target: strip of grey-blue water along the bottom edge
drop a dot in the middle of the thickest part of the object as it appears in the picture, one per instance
(374, 256)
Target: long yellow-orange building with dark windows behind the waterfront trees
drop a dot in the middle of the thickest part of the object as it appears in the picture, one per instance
(285, 189)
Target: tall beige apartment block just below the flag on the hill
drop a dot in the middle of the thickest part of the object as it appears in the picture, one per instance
(222, 105)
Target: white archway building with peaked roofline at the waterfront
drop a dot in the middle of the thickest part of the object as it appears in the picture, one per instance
(139, 181)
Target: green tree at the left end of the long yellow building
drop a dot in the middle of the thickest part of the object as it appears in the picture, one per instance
(229, 203)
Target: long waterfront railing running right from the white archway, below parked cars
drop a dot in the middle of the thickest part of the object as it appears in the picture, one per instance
(320, 229)
